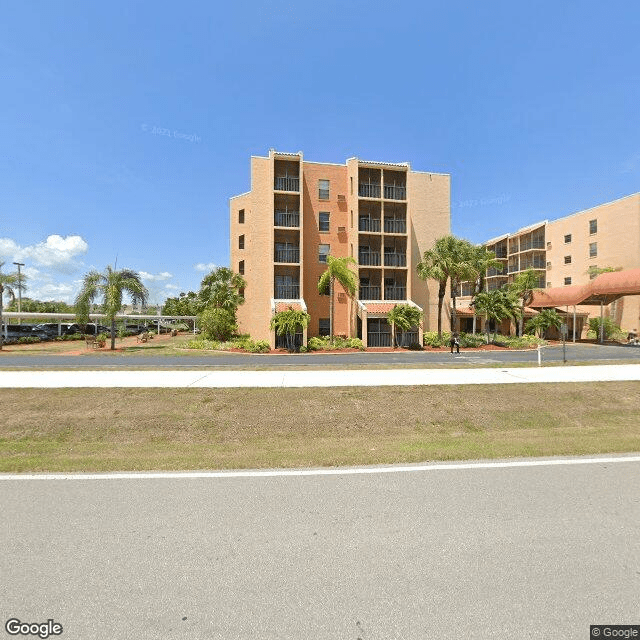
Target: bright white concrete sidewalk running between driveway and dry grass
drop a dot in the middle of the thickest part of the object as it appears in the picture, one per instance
(343, 378)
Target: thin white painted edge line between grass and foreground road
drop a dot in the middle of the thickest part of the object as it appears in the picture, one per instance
(187, 475)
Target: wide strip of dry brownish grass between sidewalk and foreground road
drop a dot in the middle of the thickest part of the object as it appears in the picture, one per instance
(180, 429)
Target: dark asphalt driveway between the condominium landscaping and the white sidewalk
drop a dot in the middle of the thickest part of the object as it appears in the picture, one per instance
(575, 353)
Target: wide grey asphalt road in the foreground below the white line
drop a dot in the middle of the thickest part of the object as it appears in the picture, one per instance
(528, 552)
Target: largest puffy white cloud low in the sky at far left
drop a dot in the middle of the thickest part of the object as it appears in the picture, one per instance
(55, 252)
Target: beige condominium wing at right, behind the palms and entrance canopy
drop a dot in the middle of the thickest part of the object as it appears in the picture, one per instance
(567, 251)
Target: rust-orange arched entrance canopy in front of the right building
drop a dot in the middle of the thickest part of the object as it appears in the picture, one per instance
(604, 289)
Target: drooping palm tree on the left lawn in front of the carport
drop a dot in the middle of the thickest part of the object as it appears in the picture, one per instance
(109, 285)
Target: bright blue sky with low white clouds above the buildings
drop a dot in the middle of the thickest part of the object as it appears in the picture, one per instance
(533, 108)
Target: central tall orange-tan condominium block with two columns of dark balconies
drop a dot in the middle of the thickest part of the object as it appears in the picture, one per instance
(297, 212)
